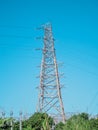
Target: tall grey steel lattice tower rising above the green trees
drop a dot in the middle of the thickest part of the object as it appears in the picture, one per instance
(50, 100)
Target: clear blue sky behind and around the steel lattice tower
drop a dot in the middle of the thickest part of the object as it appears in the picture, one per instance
(75, 28)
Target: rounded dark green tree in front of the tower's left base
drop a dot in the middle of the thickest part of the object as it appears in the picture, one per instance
(38, 121)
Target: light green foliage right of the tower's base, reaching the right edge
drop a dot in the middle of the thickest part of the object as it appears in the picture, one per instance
(79, 122)
